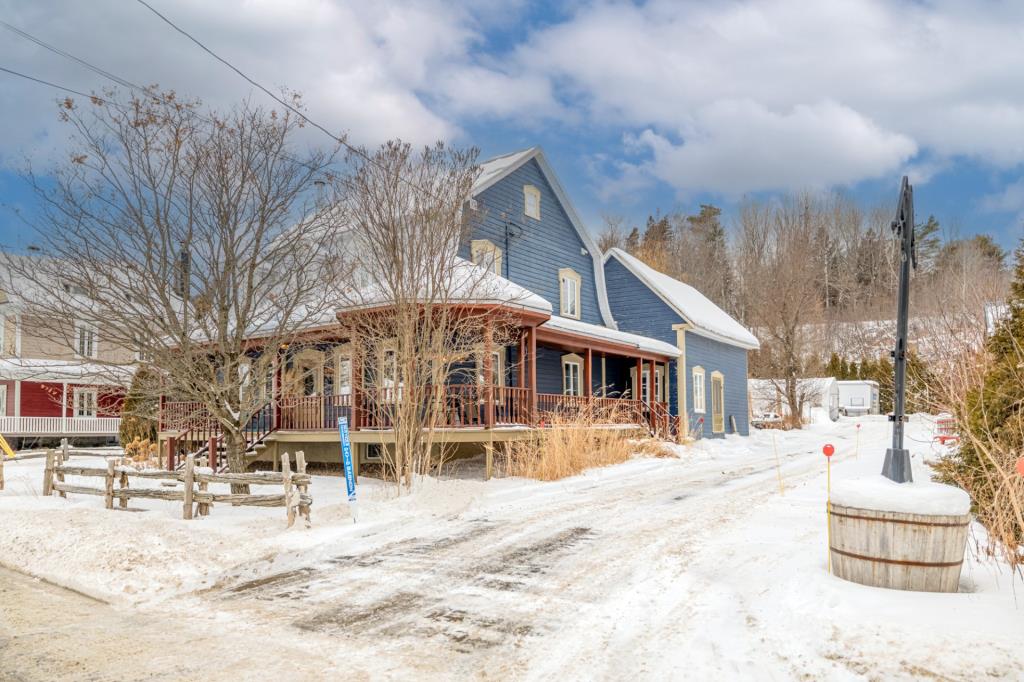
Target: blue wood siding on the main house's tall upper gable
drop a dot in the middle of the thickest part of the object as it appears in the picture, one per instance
(536, 250)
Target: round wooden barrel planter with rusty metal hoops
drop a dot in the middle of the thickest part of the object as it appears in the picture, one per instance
(898, 550)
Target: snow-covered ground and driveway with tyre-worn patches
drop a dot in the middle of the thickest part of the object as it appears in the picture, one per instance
(695, 568)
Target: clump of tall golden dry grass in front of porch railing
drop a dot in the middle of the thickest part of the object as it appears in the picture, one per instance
(574, 443)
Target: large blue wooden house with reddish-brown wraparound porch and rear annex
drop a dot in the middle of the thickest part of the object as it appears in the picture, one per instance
(599, 332)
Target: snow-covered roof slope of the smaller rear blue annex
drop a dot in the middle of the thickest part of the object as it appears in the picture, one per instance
(708, 320)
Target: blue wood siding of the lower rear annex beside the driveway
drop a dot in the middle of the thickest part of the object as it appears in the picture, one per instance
(641, 311)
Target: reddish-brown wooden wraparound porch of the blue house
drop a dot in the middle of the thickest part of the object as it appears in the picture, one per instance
(561, 372)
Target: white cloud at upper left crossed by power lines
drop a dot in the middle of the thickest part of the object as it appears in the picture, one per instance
(358, 65)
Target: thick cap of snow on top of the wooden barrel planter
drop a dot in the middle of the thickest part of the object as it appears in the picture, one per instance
(880, 494)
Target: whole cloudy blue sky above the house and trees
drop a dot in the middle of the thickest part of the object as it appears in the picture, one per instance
(641, 106)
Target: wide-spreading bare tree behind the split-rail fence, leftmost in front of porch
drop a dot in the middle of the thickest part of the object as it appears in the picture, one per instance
(192, 238)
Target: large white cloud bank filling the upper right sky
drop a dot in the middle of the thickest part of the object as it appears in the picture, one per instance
(742, 84)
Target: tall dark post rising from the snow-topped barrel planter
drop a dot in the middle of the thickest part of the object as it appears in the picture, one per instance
(898, 464)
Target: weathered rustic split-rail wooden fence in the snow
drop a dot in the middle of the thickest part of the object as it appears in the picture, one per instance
(195, 490)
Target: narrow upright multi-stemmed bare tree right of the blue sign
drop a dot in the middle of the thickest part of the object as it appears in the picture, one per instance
(425, 324)
